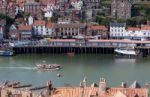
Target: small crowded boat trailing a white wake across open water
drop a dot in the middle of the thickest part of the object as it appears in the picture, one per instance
(48, 66)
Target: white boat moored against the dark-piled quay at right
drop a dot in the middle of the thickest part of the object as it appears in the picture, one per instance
(127, 51)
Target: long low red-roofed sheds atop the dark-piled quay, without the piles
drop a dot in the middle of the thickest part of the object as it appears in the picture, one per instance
(81, 43)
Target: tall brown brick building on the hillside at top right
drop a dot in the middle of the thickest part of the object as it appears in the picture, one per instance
(121, 8)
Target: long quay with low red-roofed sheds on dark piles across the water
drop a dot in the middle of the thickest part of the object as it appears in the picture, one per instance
(82, 46)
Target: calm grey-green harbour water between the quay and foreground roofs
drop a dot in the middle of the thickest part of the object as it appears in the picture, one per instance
(74, 69)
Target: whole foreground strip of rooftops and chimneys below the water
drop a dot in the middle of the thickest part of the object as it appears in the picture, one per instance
(83, 90)
